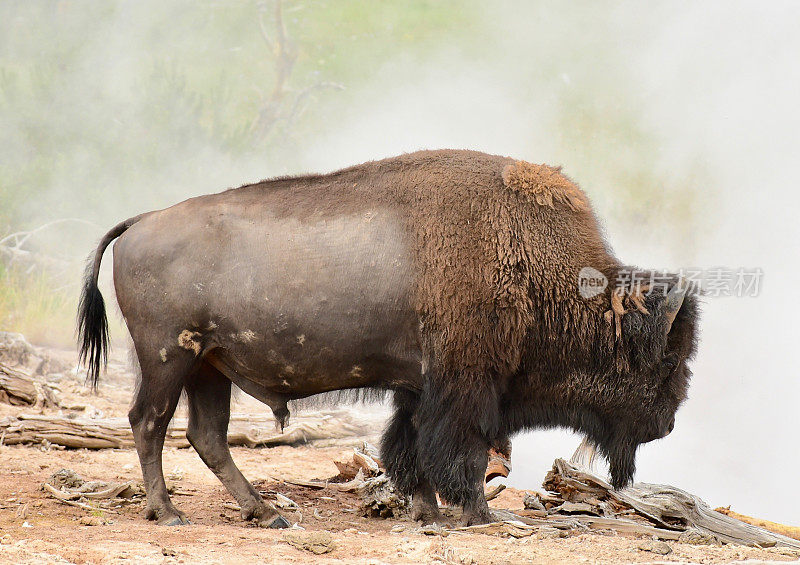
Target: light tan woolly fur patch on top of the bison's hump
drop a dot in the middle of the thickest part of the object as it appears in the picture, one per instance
(546, 184)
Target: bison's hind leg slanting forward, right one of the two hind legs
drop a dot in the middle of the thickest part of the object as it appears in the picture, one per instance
(209, 394)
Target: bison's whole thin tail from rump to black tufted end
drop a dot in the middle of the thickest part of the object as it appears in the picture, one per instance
(92, 321)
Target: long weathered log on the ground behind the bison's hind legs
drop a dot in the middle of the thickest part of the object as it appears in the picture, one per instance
(249, 431)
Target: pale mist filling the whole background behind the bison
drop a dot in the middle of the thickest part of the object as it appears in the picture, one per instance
(679, 120)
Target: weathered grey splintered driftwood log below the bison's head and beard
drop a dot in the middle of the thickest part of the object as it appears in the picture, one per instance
(659, 510)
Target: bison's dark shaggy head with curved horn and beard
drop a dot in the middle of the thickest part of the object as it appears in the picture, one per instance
(648, 379)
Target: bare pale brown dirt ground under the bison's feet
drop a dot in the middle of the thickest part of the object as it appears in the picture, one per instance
(36, 528)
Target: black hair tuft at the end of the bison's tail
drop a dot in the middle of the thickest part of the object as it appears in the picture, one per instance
(92, 328)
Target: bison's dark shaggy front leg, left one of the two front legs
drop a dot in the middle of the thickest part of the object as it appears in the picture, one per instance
(399, 452)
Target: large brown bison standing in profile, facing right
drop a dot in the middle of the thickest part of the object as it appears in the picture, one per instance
(448, 279)
